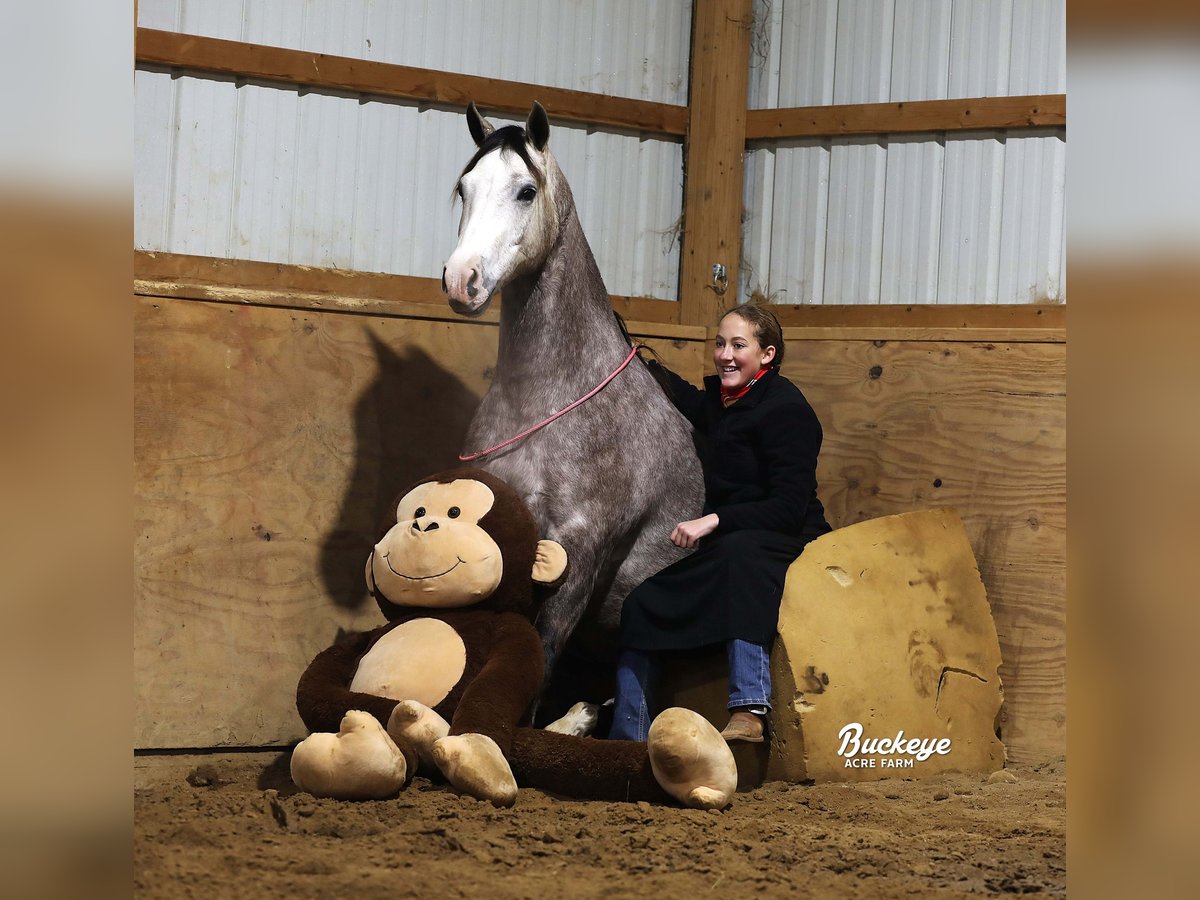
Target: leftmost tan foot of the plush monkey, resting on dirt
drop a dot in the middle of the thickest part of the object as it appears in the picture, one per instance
(361, 763)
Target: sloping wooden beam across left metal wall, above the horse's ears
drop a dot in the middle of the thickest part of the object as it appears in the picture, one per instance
(382, 80)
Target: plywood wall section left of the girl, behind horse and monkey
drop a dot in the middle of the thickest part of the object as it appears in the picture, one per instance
(268, 446)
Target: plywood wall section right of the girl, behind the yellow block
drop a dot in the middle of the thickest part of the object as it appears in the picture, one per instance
(979, 427)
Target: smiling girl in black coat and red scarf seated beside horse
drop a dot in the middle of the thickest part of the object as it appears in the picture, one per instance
(760, 443)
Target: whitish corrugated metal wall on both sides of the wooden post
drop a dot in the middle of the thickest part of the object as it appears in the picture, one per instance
(261, 172)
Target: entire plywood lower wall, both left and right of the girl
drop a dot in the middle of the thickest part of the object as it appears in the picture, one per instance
(271, 440)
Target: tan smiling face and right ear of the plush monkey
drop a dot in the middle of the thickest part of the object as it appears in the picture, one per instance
(441, 553)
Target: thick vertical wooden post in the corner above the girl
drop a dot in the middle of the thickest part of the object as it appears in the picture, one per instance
(713, 157)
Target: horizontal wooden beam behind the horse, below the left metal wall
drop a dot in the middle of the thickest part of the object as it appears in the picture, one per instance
(307, 287)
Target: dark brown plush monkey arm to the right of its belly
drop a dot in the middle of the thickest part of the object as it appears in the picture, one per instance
(501, 695)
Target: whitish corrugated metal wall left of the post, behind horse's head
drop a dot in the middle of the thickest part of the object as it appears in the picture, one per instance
(257, 172)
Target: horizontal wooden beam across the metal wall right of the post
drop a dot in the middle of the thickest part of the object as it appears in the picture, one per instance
(913, 117)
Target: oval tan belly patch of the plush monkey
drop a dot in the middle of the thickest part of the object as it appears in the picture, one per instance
(423, 661)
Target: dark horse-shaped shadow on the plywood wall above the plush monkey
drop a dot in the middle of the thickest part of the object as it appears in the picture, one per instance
(409, 423)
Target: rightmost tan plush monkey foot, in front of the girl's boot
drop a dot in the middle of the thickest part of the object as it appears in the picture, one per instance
(691, 760)
